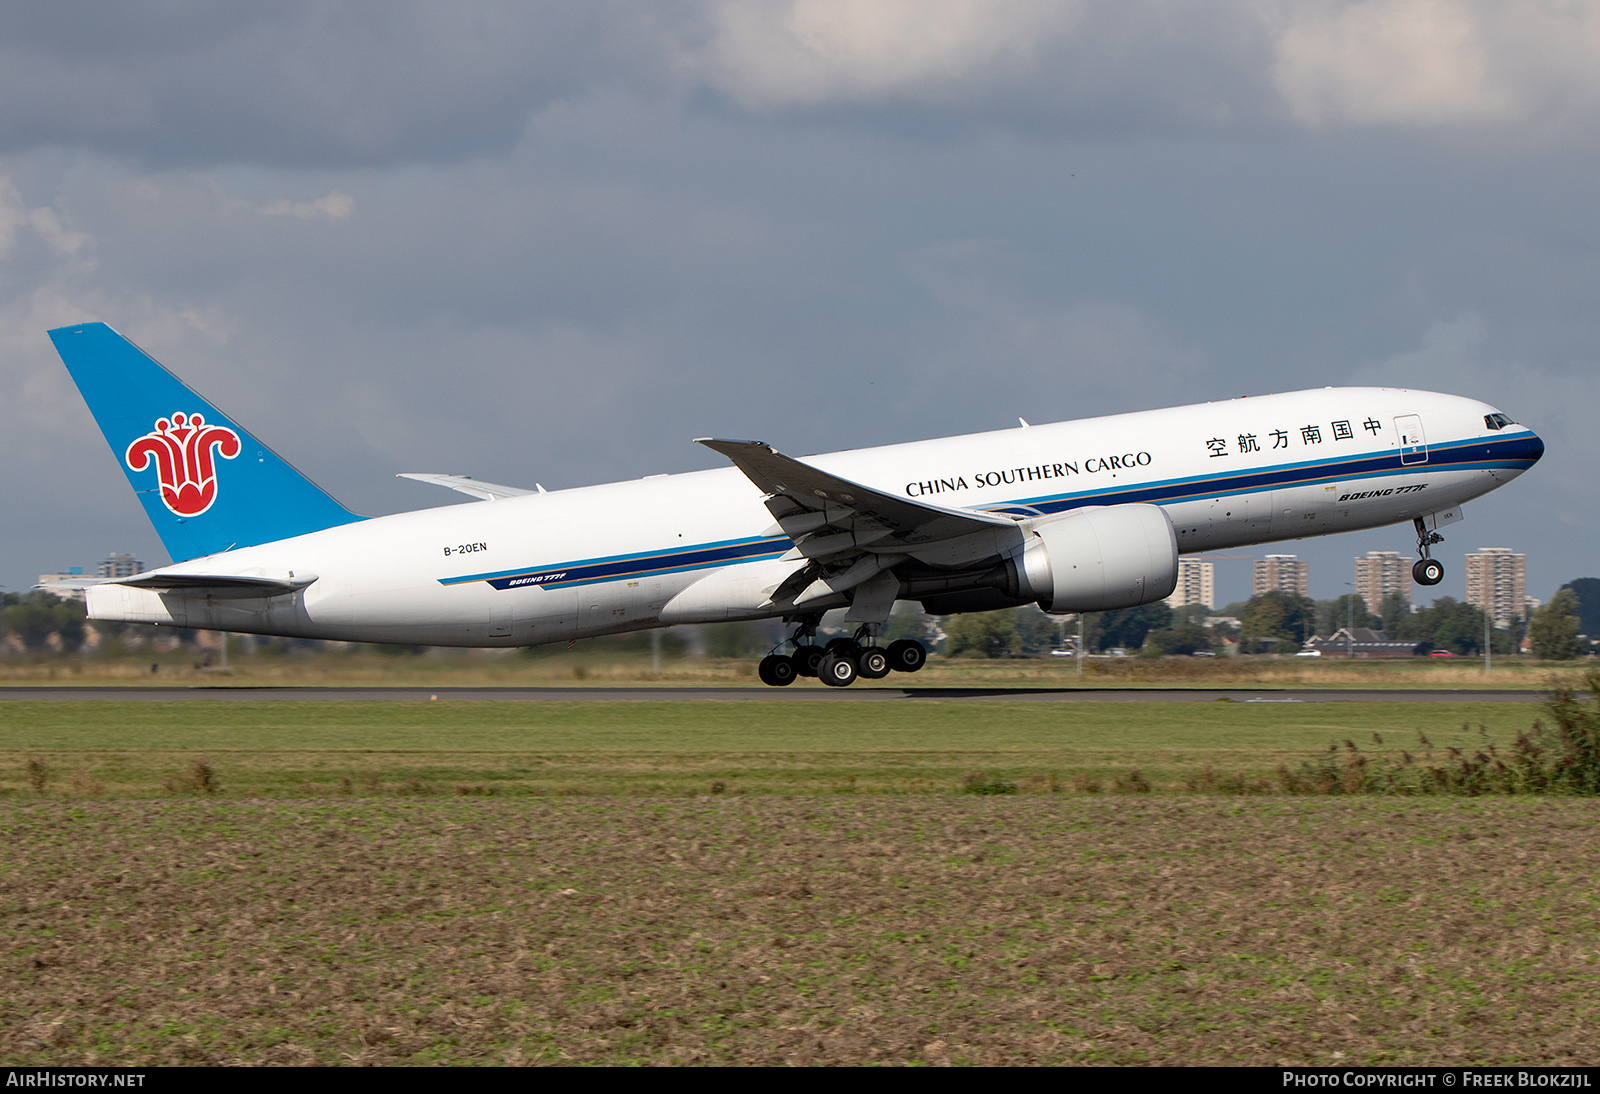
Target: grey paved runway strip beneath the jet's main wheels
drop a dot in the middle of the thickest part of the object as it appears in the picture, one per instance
(772, 695)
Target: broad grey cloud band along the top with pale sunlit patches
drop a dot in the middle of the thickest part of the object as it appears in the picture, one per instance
(335, 86)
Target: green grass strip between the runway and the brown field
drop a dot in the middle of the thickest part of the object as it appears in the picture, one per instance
(318, 749)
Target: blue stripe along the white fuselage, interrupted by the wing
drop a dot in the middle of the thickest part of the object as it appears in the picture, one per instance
(1518, 453)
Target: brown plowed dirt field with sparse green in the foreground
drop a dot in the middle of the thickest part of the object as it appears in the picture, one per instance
(799, 930)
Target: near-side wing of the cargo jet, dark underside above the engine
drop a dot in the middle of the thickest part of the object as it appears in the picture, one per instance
(830, 517)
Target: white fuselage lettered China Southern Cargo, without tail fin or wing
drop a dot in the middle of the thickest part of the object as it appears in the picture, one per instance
(607, 559)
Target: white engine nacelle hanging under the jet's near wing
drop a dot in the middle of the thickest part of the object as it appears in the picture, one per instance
(1098, 559)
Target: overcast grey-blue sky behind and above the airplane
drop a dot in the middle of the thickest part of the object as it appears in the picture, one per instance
(553, 242)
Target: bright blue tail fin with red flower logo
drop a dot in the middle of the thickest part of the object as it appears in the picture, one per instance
(207, 485)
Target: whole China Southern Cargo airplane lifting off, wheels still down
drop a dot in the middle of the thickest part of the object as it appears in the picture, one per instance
(1078, 517)
